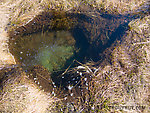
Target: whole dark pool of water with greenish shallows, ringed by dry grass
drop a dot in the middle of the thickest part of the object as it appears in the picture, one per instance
(89, 35)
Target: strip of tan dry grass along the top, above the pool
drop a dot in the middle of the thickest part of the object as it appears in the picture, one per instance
(24, 11)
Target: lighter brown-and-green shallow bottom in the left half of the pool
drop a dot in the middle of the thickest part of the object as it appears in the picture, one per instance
(50, 49)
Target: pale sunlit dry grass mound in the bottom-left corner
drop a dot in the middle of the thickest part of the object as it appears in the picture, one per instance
(22, 95)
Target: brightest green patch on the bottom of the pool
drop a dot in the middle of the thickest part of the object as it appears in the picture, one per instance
(55, 57)
